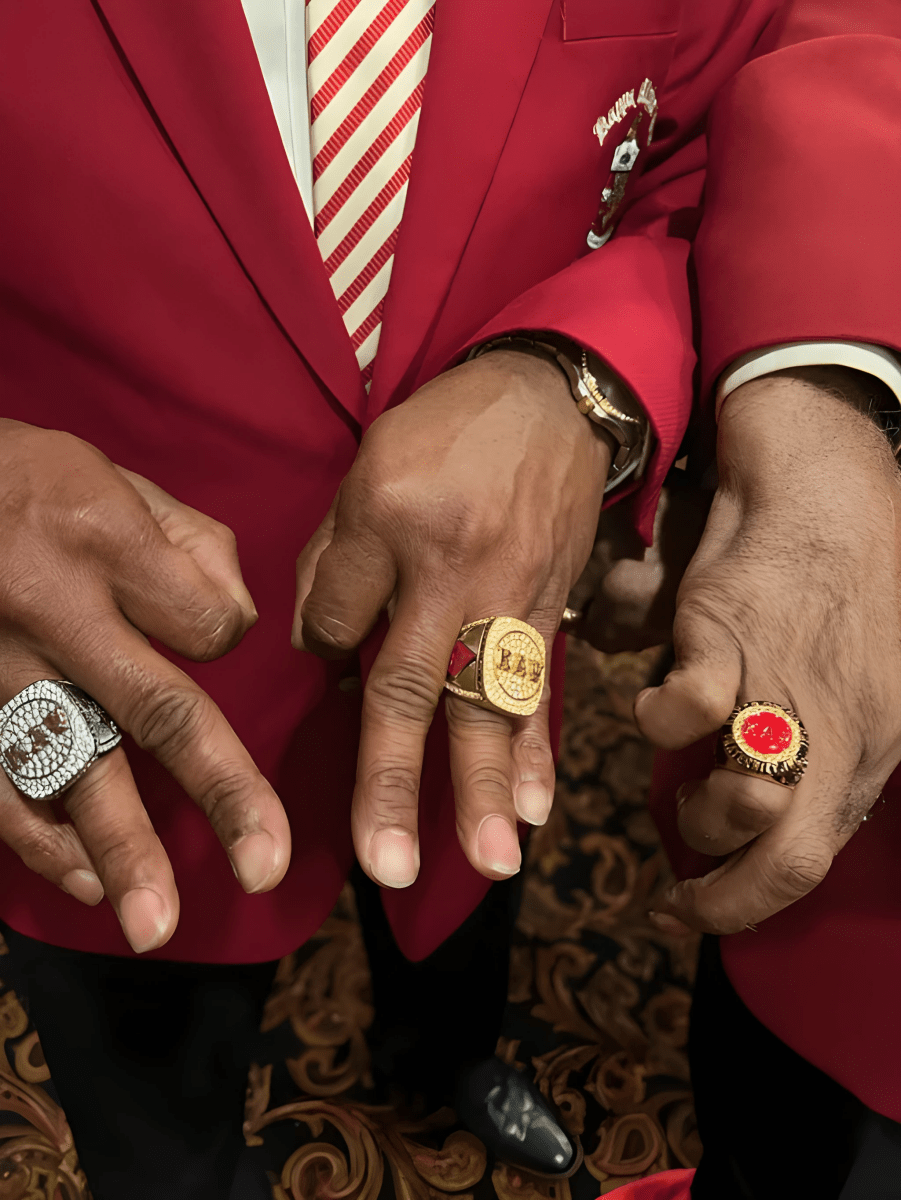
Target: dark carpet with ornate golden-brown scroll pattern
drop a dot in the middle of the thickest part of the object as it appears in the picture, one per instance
(598, 1011)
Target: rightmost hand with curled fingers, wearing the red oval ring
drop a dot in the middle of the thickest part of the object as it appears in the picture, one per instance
(794, 597)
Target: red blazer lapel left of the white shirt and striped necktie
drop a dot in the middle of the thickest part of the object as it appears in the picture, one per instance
(196, 65)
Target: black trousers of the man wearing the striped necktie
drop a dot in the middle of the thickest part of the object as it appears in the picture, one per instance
(151, 1059)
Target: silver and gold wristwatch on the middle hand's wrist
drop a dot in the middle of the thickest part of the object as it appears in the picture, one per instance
(598, 393)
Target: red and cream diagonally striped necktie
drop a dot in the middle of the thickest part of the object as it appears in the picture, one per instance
(368, 63)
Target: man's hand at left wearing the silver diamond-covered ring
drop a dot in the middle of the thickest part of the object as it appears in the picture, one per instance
(94, 560)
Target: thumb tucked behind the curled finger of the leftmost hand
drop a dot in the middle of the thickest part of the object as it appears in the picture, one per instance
(211, 544)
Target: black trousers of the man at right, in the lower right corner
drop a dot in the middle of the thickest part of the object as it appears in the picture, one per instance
(772, 1125)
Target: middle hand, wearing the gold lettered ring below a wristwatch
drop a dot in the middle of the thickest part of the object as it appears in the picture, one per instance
(478, 497)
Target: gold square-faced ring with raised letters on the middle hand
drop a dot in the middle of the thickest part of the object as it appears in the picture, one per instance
(498, 664)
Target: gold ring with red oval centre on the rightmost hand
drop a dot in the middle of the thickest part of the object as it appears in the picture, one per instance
(766, 740)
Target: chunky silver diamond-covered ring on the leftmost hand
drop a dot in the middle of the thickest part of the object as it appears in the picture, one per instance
(51, 735)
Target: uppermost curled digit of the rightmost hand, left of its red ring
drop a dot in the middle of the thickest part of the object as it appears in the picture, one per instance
(700, 693)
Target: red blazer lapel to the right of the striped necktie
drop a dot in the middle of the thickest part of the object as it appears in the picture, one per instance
(480, 62)
